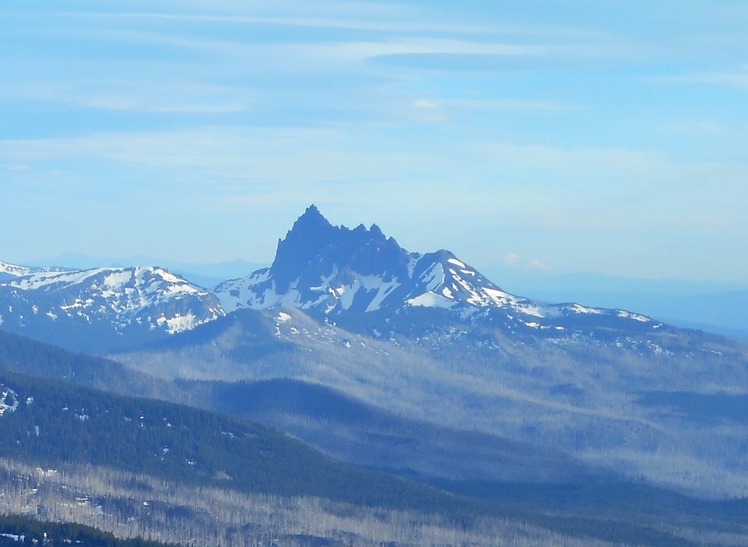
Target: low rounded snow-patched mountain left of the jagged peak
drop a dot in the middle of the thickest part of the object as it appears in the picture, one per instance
(102, 308)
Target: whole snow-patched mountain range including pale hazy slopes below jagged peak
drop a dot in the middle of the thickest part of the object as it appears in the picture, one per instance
(425, 336)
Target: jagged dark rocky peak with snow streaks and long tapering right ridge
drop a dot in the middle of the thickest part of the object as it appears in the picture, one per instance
(339, 273)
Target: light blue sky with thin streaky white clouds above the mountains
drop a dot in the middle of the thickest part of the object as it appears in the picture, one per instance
(582, 136)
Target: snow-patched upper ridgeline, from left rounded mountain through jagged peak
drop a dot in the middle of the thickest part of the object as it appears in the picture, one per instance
(357, 277)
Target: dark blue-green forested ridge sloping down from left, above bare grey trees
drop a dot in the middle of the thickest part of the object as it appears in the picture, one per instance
(56, 423)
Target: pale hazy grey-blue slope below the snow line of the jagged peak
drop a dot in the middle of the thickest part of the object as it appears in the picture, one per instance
(583, 398)
